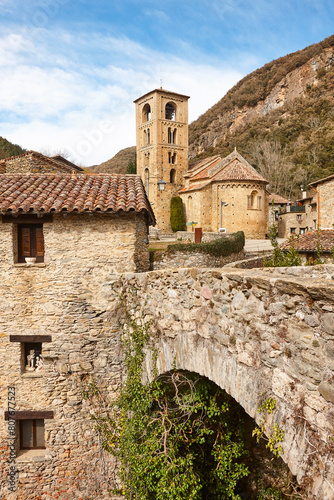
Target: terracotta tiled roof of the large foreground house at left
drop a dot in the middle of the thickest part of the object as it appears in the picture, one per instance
(47, 193)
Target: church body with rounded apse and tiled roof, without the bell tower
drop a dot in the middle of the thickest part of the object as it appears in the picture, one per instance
(226, 195)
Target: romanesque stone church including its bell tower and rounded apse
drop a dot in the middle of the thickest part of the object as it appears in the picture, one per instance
(218, 194)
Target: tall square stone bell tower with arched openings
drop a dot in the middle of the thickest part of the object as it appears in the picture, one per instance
(162, 148)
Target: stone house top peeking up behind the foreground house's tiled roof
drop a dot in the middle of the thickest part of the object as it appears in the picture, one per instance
(34, 162)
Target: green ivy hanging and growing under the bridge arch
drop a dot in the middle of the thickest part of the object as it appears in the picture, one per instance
(177, 438)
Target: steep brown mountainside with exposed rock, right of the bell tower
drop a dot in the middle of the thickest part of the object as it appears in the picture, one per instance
(280, 118)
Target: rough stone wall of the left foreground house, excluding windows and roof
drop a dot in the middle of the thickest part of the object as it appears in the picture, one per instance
(69, 297)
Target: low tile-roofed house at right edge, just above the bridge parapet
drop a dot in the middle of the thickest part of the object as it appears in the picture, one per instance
(308, 244)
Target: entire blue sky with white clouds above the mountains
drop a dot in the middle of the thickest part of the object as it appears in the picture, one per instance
(71, 69)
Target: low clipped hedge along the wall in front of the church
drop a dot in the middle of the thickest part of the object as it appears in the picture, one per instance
(221, 247)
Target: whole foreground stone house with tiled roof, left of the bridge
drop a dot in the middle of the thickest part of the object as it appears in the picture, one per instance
(77, 232)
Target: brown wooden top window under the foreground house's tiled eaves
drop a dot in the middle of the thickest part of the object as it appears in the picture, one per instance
(30, 242)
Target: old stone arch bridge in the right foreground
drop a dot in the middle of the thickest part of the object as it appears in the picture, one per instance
(255, 334)
